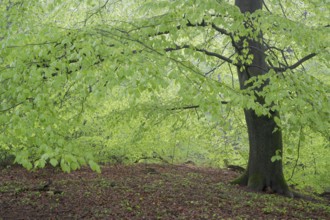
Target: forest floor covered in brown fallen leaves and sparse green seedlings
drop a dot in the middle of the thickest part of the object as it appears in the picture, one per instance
(143, 191)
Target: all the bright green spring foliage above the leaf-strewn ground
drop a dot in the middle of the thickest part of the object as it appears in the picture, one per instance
(84, 81)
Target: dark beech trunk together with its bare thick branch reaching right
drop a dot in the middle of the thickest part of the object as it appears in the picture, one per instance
(263, 172)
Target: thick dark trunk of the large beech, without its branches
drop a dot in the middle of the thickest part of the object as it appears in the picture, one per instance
(261, 174)
